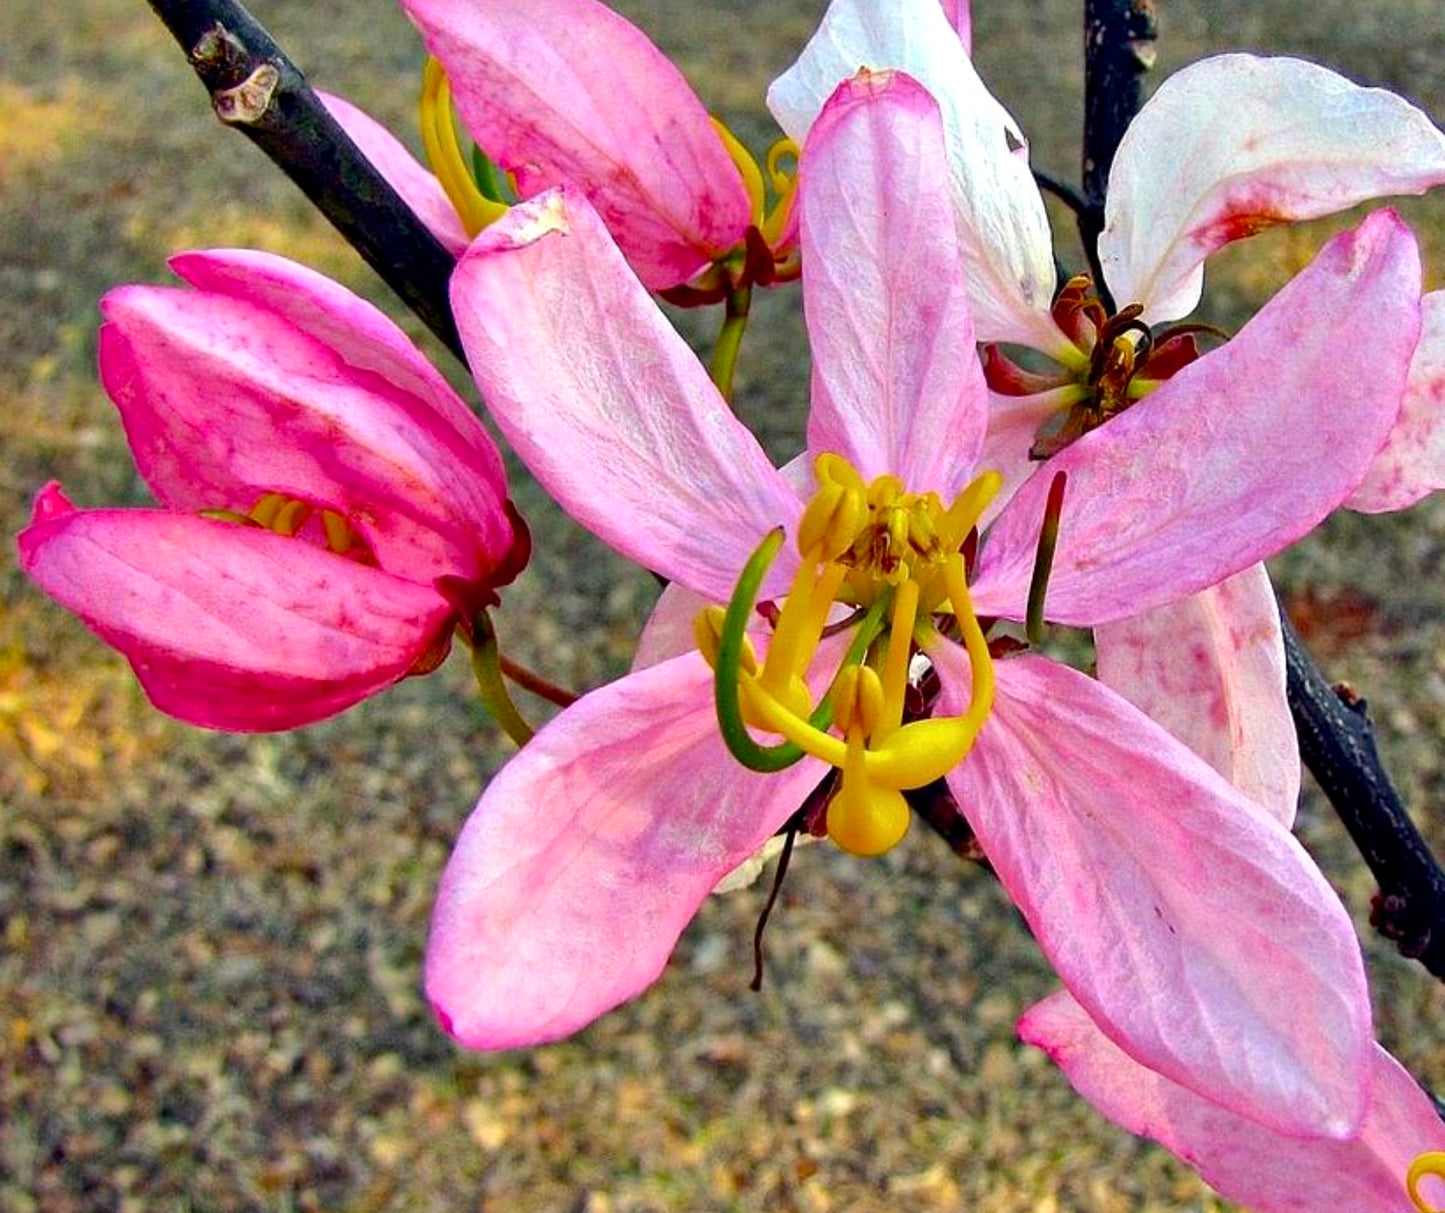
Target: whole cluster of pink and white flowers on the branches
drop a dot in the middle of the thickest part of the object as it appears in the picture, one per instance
(333, 514)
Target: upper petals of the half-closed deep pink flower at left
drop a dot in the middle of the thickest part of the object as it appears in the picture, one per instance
(228, 395)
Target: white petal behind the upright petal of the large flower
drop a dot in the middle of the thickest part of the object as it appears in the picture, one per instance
(998, 207)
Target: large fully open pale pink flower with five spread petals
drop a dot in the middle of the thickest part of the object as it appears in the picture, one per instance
(1173, 907)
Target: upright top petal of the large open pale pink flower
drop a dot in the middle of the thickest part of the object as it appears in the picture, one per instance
(897, 381)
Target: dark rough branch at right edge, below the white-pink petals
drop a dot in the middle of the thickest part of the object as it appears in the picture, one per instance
(1337, 742)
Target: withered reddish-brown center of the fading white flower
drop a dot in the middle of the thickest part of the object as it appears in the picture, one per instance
(1115, 361)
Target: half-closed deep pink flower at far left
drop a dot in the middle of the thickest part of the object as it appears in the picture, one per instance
(330, 510)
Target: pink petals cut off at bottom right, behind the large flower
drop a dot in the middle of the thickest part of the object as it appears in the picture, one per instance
(1242, 1160)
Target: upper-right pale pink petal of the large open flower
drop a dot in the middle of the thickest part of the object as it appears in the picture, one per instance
(1232, 459)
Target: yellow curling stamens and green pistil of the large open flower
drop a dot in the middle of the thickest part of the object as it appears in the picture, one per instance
(895, 560)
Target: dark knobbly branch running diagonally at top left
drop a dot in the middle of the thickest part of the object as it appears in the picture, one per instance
(259, 92)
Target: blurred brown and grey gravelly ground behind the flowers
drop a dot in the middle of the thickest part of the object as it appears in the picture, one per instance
(212, 945)
